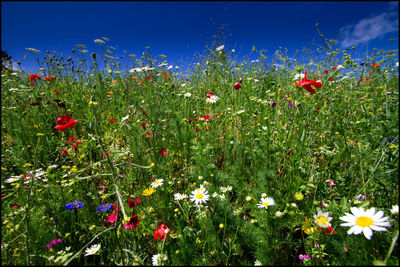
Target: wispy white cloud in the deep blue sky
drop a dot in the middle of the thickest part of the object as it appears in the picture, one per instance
(370, 28)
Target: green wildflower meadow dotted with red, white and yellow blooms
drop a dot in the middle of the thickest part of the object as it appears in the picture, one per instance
(109, 160)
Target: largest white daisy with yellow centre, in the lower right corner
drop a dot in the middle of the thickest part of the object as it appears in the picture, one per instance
(364, 221)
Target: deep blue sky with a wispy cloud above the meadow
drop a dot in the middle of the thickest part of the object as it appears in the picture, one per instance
(180, 29)
